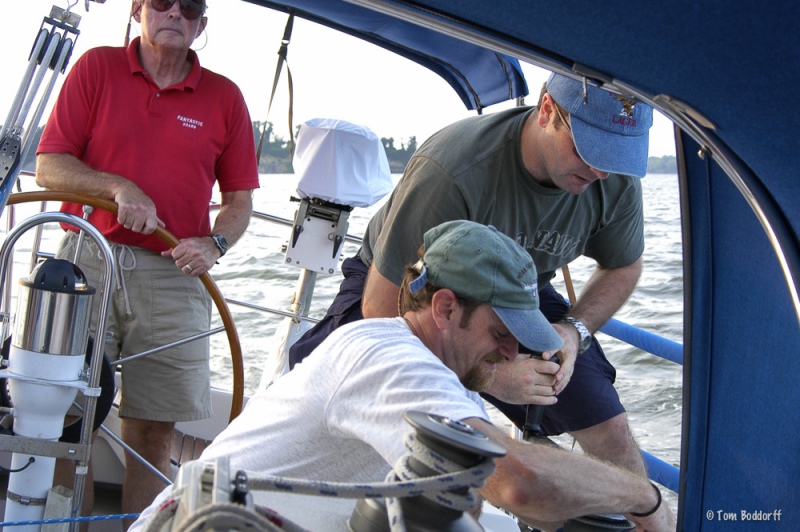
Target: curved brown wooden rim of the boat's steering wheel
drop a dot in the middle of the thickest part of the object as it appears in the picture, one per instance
(211, 287)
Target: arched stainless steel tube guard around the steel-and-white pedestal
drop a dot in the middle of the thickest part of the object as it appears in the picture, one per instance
(78, 452)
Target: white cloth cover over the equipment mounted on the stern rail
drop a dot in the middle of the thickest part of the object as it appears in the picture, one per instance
(341, 162)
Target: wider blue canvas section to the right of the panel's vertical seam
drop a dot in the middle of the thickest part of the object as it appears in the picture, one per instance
(753, 441)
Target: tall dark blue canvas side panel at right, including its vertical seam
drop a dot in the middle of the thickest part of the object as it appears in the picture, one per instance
(742, 371)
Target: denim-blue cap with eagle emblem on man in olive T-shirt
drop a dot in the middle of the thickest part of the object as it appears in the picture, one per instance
(611, 132)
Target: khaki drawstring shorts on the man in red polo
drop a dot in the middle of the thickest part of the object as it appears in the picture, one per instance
(163, 305)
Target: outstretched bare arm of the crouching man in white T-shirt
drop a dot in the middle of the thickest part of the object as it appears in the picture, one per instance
(542, 483)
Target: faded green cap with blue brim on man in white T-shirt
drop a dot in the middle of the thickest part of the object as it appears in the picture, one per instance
(478, 262)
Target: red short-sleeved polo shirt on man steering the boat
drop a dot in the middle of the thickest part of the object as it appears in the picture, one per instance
(174, 143)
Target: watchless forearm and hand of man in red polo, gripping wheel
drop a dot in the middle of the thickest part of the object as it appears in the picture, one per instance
(65, 172)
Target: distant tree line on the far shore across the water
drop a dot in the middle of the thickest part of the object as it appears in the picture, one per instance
(276, 157)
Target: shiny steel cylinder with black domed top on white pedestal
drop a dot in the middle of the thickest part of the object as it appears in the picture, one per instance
(53, 310)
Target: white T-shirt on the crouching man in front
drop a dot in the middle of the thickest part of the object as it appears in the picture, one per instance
(338, 416)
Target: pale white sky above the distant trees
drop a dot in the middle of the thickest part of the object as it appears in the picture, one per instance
(334, 75)
